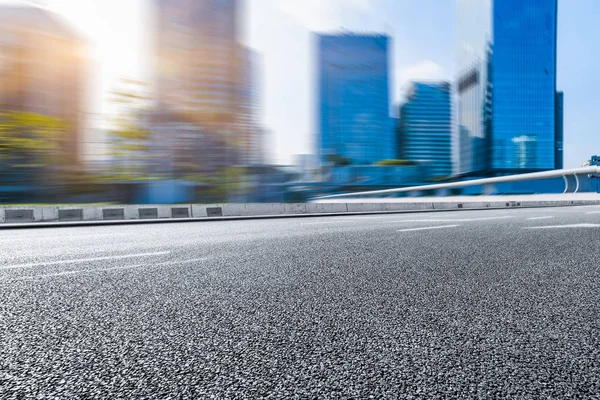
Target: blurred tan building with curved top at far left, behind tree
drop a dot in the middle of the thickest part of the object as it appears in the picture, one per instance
(43, 70)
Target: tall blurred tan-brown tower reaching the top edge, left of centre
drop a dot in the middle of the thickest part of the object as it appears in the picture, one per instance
(199, 77)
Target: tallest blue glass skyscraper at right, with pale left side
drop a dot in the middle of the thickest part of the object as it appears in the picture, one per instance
(507, 102)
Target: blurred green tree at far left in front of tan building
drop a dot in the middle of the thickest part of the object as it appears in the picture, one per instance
(31, 148)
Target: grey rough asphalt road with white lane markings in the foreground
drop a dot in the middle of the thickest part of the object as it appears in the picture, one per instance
(469, 304)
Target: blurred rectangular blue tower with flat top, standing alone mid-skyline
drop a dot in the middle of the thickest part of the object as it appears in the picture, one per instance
(353, 113)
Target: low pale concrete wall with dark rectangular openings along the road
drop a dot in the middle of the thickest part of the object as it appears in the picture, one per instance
(76, 213)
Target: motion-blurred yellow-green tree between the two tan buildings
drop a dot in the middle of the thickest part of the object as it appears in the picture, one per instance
(130, 105)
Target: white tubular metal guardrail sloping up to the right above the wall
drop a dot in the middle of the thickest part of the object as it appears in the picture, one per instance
(564, 173)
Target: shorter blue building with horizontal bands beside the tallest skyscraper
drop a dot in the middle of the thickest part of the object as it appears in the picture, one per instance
(425, 127)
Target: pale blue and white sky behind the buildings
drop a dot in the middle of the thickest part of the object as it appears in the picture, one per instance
(281, 31)
